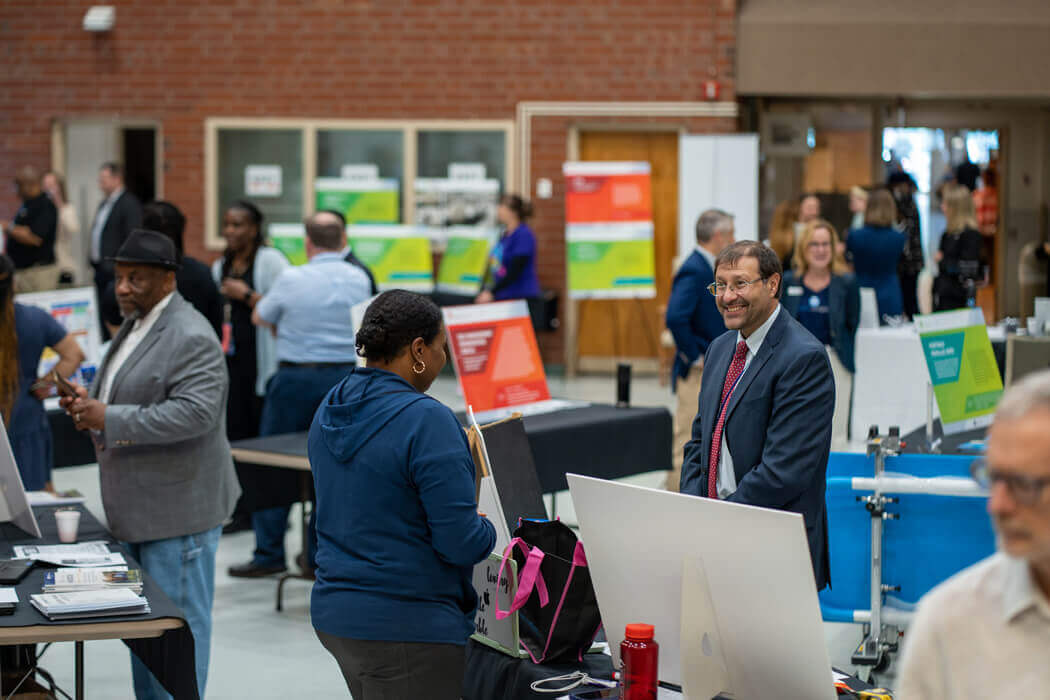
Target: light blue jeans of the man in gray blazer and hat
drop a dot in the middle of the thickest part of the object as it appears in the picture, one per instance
(185, 570)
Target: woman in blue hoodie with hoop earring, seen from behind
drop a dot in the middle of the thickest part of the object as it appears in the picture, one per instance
(398, 531)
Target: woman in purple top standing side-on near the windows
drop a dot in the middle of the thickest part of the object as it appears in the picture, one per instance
(511, 273)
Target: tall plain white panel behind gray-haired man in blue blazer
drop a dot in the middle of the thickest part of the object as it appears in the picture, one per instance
(718, 172)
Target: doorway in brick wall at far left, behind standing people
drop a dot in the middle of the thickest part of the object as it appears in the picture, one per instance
(79, 150)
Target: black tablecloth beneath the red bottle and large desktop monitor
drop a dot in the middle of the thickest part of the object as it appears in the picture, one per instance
(492, 675)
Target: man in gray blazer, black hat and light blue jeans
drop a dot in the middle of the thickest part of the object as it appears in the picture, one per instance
(157, 414)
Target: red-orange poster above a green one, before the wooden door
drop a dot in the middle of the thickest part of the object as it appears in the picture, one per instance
(606, 193)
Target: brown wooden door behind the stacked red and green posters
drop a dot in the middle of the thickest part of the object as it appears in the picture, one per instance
(611, 330)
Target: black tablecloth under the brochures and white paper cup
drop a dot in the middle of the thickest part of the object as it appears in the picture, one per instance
(171, 656)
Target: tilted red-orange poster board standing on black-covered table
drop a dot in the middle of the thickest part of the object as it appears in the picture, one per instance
(496, 356)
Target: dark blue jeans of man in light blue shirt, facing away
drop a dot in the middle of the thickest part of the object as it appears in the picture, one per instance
(292, 398)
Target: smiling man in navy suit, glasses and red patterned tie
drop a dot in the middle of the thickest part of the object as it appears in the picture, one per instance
(763, 431)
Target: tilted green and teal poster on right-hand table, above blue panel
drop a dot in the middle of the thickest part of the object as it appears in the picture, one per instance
(962, 368)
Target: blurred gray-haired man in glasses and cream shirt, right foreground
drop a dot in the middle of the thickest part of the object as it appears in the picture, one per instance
(985, 633)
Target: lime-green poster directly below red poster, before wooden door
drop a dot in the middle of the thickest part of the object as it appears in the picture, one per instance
(612, 261)
